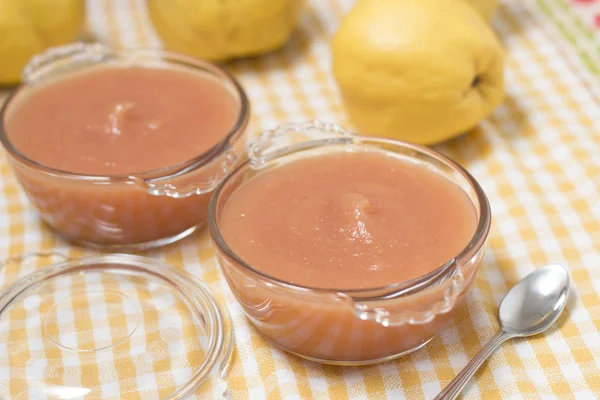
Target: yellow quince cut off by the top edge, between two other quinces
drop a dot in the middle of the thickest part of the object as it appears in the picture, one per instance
(219, 30)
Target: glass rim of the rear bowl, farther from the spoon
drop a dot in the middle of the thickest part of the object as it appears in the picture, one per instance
(171, 58)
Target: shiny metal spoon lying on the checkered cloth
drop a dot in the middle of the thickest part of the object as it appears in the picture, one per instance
(529, 308)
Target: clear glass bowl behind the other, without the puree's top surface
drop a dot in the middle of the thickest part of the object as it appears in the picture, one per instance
(133, 211)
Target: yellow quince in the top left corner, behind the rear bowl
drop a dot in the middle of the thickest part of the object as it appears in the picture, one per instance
(28, 27)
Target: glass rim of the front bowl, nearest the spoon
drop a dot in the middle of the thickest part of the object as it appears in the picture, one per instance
(476, 244)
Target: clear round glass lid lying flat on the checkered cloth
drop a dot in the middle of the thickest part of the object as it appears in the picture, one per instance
(112, 327)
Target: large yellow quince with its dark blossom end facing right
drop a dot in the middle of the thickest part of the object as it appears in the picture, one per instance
(418, 70)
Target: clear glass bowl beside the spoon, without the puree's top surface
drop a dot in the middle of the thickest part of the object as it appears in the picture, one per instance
(347, 327)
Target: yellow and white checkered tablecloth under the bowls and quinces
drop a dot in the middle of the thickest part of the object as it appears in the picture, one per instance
(537, 157)
